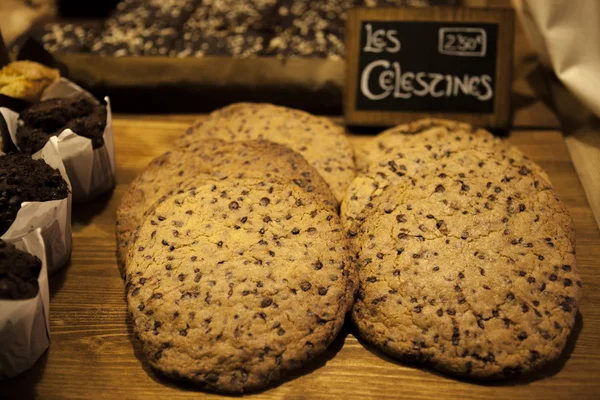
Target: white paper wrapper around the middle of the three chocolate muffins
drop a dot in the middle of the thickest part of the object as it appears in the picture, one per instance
(52, 217)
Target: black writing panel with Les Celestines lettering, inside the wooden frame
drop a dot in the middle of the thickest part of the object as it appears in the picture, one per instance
(427, 67)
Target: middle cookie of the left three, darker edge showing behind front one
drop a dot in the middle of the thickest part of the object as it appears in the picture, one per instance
(188, 165)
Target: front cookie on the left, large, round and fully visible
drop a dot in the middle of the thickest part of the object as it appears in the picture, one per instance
(237, 281)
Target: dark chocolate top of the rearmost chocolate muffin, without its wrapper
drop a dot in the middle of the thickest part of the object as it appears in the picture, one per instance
(50, 117)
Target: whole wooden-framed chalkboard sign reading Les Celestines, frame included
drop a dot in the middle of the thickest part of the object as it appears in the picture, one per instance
(406, 63)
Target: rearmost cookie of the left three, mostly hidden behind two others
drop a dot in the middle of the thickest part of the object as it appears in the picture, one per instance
(324, 144)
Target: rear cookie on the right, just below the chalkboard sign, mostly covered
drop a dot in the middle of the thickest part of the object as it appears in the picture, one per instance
(458, 155)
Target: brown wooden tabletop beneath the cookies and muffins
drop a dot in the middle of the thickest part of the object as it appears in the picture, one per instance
(94, 355)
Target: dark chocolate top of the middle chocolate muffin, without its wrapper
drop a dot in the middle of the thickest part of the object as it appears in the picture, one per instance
(24, 179)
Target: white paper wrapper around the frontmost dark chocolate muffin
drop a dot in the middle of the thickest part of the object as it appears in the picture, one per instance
(24, 326)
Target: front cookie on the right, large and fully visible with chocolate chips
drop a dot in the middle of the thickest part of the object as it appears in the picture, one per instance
(476, 277)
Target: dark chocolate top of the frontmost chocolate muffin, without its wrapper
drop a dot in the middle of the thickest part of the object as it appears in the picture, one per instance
(19, 273)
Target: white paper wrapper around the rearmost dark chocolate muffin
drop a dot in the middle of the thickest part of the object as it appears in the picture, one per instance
(91, 171)
